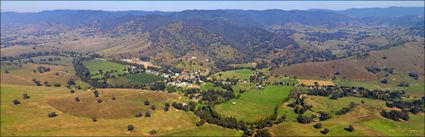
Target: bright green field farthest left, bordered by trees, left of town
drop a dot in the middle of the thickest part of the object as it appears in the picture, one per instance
(106, 66)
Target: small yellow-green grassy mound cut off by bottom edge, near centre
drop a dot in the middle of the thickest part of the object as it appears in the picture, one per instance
(207, 130)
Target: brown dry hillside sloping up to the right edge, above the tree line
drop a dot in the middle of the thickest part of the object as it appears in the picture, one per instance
(352, 71)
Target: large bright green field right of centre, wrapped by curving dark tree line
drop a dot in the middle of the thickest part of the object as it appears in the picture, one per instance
(254, 105)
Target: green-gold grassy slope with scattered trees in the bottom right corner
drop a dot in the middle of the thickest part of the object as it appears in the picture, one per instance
(365, 118)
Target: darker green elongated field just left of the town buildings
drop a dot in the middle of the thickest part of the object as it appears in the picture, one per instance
(135, 79)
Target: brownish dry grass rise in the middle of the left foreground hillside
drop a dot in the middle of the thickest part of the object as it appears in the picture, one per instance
(127, 103)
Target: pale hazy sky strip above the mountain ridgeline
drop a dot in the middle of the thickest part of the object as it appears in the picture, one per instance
(35, 6)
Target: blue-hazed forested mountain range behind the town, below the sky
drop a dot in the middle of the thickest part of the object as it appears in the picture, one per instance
(226, 36)
